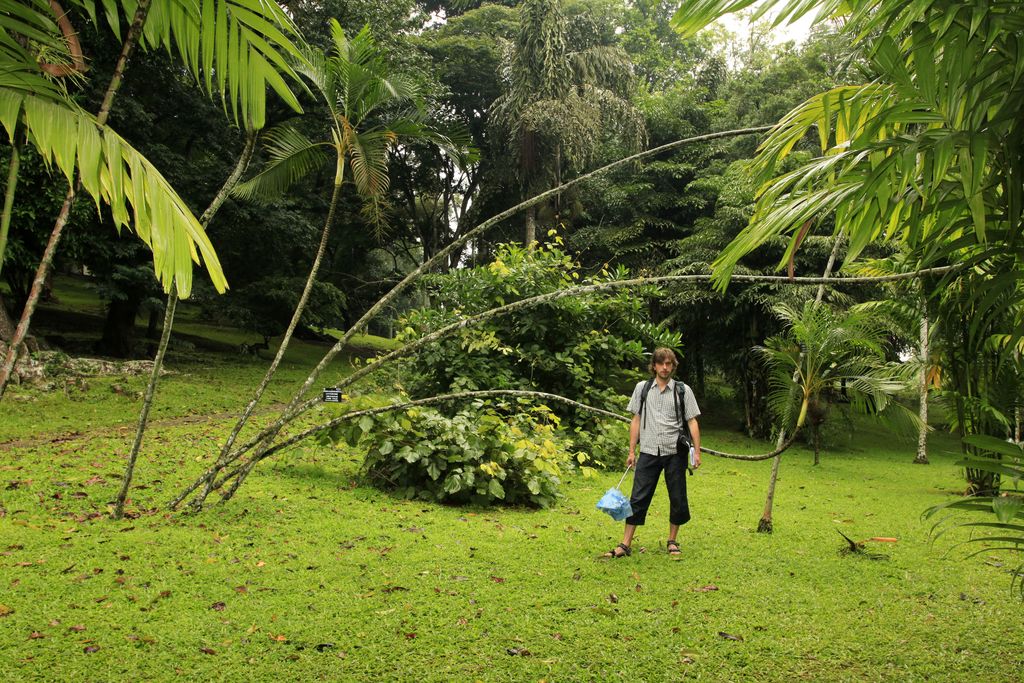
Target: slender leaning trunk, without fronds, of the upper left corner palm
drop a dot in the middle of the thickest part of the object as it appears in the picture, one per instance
(42, 274)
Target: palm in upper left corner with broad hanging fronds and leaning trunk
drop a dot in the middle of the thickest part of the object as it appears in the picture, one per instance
(234, 49)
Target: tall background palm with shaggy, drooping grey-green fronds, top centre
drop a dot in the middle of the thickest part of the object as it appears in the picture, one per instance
(562, 102)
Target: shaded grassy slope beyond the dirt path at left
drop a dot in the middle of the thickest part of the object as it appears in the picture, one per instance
(208, 374)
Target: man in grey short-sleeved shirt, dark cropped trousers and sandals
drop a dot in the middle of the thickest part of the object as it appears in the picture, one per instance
(661, 408)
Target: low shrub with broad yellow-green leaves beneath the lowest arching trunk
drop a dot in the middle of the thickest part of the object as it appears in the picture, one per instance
(478, 456)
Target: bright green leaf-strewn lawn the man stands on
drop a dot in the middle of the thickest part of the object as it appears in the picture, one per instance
(308, 576)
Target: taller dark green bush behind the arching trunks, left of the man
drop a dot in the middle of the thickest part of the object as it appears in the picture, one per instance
(583, 348)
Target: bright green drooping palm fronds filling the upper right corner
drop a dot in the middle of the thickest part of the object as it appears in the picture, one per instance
(927, 154)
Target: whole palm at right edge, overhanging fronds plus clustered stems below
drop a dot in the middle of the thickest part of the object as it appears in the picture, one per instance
(927, 155)
